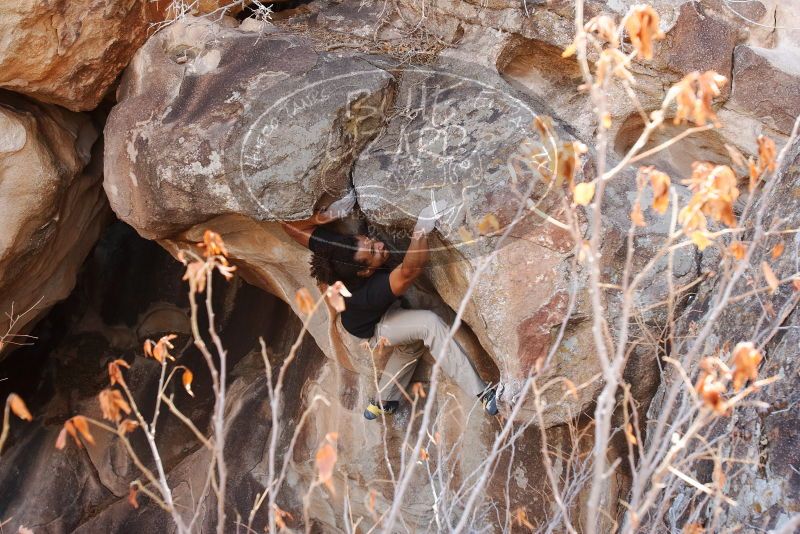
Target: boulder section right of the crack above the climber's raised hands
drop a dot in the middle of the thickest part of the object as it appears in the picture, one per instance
(460, 129)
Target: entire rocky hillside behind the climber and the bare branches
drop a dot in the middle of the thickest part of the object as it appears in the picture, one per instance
(125, 138)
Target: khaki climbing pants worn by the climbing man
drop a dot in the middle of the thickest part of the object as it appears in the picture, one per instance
(409, 333)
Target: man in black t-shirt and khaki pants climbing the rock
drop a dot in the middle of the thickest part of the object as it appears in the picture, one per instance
(373, 311)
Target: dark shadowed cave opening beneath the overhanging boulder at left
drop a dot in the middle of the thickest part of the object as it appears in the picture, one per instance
(128, 290)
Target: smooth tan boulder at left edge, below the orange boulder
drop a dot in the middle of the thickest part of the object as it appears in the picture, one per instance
(53, 209)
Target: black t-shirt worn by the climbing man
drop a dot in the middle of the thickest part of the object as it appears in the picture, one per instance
(369, 302)
